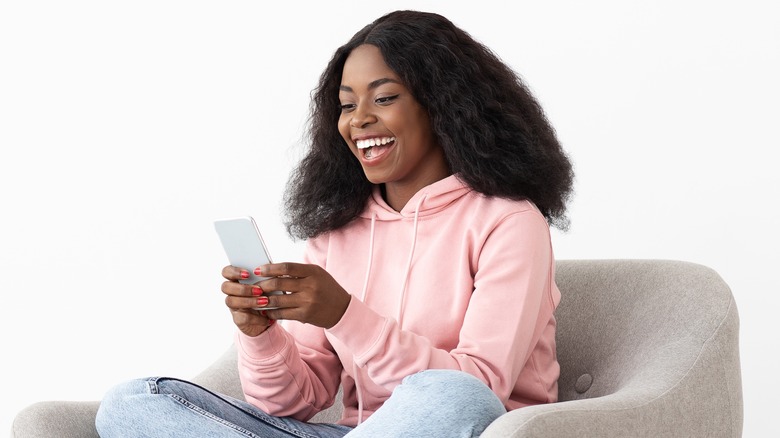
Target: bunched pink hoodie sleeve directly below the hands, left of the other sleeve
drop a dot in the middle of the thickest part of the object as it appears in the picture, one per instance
(292, 371)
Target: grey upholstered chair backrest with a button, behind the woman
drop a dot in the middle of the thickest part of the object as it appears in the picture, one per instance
(659, 330)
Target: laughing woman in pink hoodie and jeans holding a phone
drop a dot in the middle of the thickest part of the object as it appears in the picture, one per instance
(428, 288)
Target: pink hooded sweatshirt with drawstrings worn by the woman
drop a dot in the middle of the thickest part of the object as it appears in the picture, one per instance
(455, 280)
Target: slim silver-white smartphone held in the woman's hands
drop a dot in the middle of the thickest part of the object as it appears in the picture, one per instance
(244, 247)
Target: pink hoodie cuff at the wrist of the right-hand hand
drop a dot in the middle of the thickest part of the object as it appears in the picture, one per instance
(362, 330)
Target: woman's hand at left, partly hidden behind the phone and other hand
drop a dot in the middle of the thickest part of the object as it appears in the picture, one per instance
(242, 300)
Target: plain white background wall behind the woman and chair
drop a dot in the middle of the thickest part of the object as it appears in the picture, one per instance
(126, 128)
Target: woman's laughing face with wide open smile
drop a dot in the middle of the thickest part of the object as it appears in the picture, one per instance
(385, 127)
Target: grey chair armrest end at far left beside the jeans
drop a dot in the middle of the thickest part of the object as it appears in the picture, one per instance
(64, 419)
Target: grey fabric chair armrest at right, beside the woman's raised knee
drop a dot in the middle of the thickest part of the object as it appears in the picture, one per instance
(654, 403)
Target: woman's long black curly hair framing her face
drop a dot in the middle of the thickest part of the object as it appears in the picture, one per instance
(494, 133)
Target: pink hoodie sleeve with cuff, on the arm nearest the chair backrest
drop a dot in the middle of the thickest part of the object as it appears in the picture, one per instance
(512, 303)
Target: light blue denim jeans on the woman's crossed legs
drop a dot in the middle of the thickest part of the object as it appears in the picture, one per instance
(433, 403)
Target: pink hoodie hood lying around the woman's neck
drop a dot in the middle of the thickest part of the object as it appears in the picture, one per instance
(428, 200)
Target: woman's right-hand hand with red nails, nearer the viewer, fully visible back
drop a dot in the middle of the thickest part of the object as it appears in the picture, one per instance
(314, 295)
